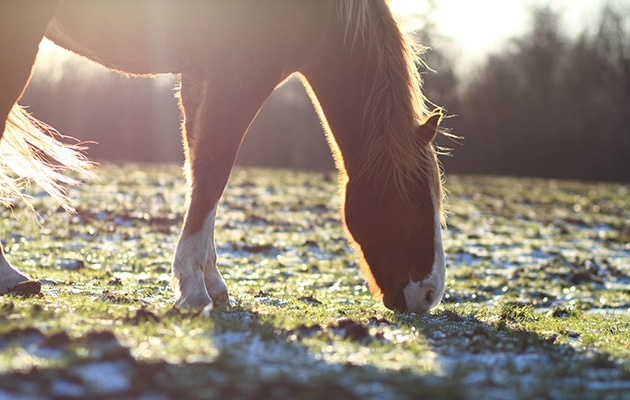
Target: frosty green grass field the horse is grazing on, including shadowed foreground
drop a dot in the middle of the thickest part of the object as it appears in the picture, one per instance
(537, 304)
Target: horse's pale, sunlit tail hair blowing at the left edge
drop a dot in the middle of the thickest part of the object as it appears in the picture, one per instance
(29, 152)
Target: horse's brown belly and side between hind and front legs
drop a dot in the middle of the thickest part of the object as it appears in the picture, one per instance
(149, 36)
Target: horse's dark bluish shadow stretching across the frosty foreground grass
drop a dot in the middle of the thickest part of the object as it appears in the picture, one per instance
(257, 360)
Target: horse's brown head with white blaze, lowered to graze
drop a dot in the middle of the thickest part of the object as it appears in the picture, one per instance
(398, 236)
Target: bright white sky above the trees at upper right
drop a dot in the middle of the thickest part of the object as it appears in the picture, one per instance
(479, 26)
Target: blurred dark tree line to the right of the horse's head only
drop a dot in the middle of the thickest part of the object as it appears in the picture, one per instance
(548, 105)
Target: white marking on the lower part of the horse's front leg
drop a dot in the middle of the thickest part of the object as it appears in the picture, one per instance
(196, 279)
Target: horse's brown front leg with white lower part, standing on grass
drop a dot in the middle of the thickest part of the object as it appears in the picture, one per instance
(217, 116)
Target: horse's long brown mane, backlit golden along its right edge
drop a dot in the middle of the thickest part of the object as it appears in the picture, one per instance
(396, 105)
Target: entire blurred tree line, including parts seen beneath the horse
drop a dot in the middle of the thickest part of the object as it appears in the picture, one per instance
(546, 104)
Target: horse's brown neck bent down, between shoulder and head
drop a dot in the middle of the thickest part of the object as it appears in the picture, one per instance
(368, 89)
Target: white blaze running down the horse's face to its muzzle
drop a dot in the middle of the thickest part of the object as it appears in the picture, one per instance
(426, 294)
